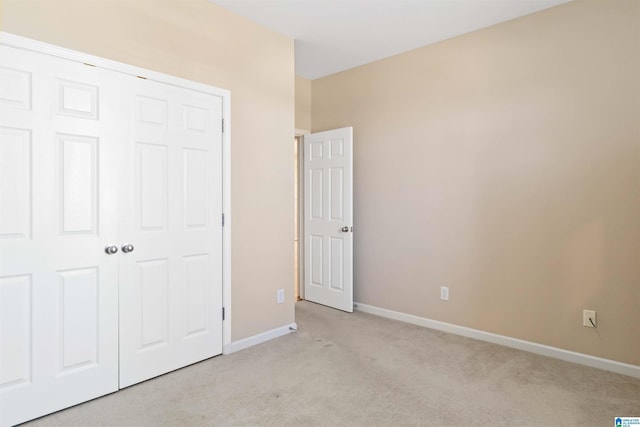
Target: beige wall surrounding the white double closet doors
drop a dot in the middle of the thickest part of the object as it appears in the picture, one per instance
(197, 40)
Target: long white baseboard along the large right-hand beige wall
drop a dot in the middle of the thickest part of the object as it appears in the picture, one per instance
(544, 350)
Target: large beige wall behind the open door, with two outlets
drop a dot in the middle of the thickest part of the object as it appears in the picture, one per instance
(504, 164)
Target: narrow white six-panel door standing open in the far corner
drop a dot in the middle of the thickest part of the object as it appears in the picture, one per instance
(328, 218)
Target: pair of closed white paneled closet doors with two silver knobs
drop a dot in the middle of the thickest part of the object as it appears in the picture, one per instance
(91, 158)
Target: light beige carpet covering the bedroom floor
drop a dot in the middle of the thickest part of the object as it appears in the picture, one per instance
(356, 369)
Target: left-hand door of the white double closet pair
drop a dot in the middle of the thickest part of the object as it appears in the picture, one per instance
(58, 287)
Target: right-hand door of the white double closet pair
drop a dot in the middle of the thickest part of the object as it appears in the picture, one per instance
(171, 283)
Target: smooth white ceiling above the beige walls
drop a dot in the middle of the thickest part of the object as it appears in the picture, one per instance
(335, 35)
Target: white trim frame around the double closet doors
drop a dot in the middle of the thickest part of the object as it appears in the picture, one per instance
(20, 42)
